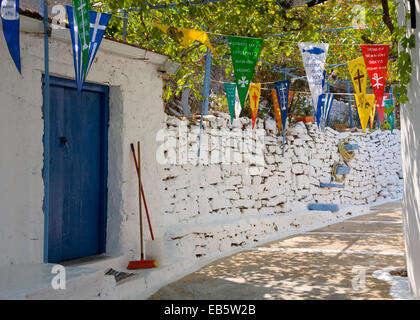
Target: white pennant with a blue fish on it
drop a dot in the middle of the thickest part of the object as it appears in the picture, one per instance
(314, 56)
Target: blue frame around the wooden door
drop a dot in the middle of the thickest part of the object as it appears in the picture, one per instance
(92, 87)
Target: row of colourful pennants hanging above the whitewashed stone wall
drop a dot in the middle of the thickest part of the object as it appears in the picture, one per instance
(372, 64)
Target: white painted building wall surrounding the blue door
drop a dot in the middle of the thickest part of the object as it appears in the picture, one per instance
(136, 113)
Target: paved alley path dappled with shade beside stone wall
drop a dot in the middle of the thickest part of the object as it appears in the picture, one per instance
(327, 263)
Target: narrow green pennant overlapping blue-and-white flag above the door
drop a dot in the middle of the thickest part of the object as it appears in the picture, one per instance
(81, 17)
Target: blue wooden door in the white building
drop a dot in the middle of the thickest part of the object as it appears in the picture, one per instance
(77, 170)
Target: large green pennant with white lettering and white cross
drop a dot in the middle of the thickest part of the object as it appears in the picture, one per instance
(245, 53)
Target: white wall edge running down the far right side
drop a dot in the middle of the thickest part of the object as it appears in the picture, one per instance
(410, 142)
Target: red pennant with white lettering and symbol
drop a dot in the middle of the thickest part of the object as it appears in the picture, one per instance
(376, 60)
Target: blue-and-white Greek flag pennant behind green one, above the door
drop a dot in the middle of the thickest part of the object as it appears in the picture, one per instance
(98, 24)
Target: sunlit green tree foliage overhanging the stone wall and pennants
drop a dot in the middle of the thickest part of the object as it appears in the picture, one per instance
(259, 19)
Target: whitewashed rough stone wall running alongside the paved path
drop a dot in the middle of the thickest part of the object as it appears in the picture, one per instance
(219, 206)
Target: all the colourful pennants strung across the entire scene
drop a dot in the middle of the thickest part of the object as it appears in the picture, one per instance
(87, 29)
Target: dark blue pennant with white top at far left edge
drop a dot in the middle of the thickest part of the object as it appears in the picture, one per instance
(11, 21)
